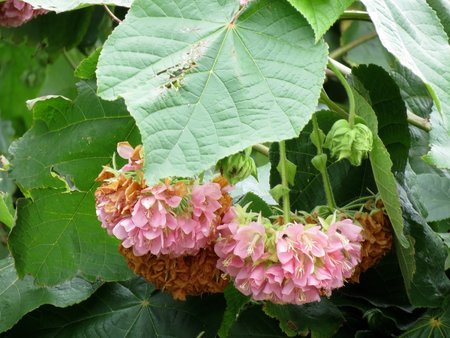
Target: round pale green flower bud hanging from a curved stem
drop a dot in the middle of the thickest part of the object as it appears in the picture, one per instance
(353, 144)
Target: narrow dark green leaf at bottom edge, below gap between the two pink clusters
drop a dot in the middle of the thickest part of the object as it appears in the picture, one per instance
(236, 301)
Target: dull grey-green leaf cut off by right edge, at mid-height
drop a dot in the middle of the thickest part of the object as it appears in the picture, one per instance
(433, 191)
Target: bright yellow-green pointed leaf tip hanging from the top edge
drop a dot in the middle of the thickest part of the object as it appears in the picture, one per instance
(321, 14)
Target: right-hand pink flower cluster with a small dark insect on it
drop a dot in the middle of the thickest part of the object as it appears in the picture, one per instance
(292, 264)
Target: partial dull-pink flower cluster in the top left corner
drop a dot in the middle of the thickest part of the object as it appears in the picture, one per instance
(14, 13)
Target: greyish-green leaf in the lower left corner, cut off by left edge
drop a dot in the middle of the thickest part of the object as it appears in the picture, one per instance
(18, 297)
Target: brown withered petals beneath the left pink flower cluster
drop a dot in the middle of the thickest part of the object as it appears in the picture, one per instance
(181, 276)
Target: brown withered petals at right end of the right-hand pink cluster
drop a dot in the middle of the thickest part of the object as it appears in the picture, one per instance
(377, 243)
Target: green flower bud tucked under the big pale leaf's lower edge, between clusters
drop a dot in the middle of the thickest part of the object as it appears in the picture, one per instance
(237, 167)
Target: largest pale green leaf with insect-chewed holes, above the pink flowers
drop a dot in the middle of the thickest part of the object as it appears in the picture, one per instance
(204, 80)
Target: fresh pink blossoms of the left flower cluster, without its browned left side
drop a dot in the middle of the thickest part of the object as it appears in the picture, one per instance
(154, 225)
